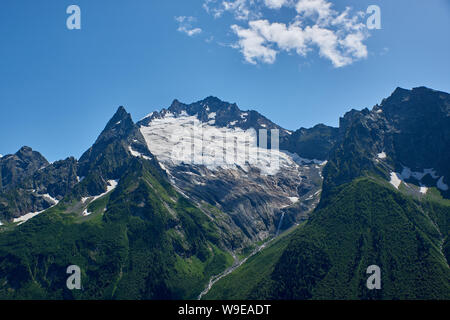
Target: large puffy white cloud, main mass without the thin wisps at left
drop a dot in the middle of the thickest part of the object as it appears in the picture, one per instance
(337, 36)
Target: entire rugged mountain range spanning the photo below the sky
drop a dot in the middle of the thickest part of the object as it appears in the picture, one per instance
(158, 208)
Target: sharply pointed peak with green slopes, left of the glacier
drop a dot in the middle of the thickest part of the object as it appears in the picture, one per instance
(142, 240)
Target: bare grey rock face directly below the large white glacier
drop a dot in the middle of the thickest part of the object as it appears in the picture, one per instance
(254, 201)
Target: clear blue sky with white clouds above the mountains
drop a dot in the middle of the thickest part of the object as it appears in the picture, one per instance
(59, 87)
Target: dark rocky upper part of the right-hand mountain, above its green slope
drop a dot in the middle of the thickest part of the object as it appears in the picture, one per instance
(410, 130)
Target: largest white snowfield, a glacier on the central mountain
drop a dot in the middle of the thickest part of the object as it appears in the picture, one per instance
(185, 139)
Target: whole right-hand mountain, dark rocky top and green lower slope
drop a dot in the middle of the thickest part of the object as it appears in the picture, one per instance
(384, 202)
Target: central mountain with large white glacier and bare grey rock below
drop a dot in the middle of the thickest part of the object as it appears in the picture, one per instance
(253, 197)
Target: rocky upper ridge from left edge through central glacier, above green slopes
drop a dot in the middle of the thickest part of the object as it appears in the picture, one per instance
(247, 187)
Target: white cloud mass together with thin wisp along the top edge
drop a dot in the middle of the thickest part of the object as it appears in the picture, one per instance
(337, 36)
